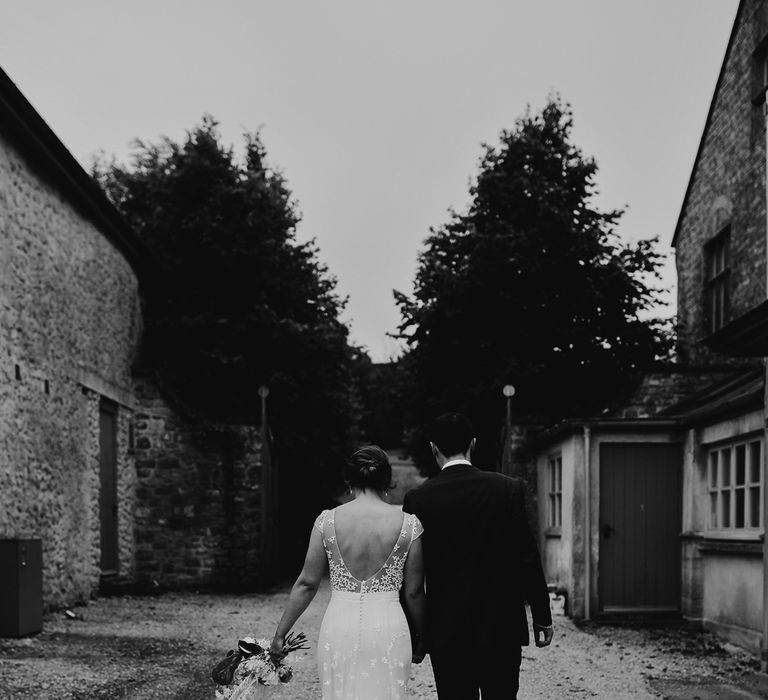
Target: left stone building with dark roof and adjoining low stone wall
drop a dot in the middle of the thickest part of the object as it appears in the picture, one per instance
(116, 483)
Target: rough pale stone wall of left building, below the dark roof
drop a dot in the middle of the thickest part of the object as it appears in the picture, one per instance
(70, 318)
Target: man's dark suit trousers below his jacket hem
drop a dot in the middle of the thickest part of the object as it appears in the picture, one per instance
(496, 674)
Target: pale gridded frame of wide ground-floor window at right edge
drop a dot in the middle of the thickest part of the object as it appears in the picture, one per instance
(733, 496)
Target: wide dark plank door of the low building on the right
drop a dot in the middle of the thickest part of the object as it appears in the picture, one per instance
(640, 522)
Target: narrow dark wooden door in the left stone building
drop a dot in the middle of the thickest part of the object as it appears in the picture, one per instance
(108, 491)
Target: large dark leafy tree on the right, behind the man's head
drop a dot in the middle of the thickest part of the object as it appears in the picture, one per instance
(532, 287)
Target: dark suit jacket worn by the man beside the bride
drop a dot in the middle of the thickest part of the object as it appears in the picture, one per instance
(481, 561)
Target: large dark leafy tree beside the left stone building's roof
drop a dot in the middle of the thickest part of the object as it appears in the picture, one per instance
(242, 303)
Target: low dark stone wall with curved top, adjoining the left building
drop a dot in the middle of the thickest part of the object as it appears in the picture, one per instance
(199, 516)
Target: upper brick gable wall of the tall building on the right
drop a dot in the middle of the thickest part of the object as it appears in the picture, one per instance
(728, 185)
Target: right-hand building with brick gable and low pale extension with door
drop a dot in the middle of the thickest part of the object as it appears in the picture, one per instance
(660, 508)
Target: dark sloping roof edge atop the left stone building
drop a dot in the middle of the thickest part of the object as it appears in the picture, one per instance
(33, 137)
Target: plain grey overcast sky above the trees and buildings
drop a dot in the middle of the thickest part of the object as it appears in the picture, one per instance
(376, 111)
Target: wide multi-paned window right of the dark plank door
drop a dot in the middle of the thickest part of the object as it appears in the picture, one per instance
(735, 481)
